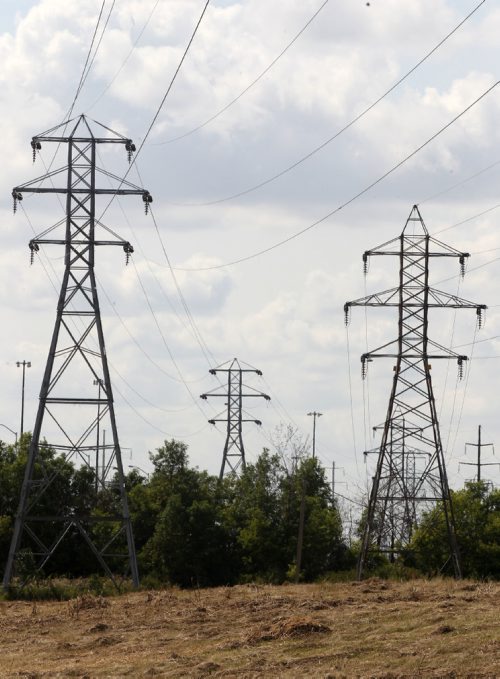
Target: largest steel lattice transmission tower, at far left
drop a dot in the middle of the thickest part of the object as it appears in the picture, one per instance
(71, 409)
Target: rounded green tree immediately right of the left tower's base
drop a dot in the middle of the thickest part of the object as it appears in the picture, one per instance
(188, 544)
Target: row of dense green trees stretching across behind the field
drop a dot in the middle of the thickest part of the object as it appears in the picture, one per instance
(191, 529)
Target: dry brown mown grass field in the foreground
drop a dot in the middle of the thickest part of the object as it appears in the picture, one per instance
(371, 629)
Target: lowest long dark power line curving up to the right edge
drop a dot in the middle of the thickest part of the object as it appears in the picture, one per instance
(358, 195)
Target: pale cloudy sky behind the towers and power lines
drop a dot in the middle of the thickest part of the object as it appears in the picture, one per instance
(280, 311)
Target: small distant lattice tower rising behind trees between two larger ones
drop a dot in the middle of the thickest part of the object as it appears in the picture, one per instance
(234, 451)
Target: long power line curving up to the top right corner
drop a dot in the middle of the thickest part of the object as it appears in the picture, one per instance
(342, 130)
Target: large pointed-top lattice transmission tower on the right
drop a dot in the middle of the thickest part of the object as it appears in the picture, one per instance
(410, 469)
